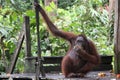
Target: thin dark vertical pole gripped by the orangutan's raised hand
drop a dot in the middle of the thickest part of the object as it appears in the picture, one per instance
(39, 65)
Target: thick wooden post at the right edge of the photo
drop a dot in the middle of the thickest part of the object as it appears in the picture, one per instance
(117, 37)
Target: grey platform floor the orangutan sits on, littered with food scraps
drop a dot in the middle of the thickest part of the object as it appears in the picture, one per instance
(93, 75)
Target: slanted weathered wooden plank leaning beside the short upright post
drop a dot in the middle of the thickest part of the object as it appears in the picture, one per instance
(17, 51)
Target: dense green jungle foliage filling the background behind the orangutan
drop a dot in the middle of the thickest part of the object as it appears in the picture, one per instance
(90, 17)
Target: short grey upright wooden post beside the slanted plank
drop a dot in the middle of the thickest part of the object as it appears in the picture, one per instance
(29, 63)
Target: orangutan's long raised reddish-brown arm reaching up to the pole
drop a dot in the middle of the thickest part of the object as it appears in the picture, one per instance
(54, 30)
